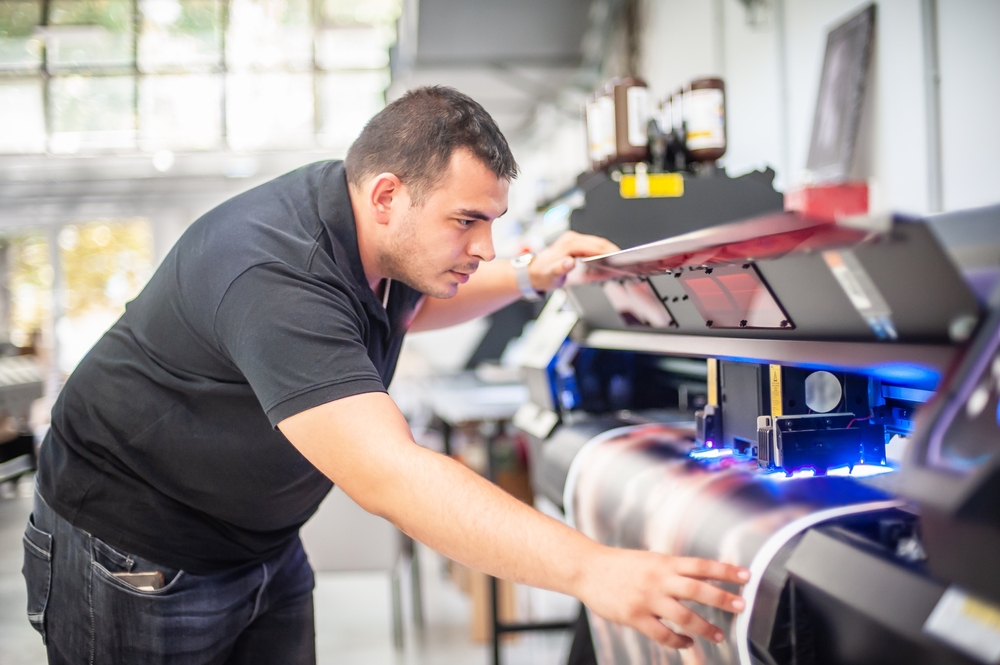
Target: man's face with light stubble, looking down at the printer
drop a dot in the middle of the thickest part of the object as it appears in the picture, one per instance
(437, 245)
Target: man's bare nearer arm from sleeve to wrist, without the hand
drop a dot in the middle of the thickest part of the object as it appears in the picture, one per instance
(443, 504)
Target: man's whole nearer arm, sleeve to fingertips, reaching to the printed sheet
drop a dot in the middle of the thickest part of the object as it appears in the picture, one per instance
(363, 444)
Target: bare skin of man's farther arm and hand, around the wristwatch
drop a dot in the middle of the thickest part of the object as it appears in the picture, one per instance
(494, 284)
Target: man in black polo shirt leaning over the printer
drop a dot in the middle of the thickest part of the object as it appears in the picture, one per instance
(207, 425)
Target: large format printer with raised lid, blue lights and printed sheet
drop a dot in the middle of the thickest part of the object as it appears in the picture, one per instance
(816, 400)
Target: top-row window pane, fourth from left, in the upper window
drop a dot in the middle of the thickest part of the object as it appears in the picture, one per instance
(269, 34)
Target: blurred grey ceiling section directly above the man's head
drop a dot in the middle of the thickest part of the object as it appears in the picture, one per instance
(509, 55)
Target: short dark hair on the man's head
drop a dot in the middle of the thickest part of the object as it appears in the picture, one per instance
(415, 136)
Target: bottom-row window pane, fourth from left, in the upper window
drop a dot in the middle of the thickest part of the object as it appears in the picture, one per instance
(269, 111)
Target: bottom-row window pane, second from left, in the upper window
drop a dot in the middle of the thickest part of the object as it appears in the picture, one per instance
(92, 112)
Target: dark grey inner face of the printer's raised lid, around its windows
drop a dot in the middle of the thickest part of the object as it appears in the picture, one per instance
(924, 292)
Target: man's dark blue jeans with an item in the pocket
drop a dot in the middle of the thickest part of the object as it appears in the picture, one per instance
(258, 613)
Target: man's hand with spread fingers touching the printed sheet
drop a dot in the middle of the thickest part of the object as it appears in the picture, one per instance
(643, 590)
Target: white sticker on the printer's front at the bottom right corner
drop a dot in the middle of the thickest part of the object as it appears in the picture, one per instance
(967, 623)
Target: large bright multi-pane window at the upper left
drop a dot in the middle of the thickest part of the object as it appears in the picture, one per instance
(114, 75)
